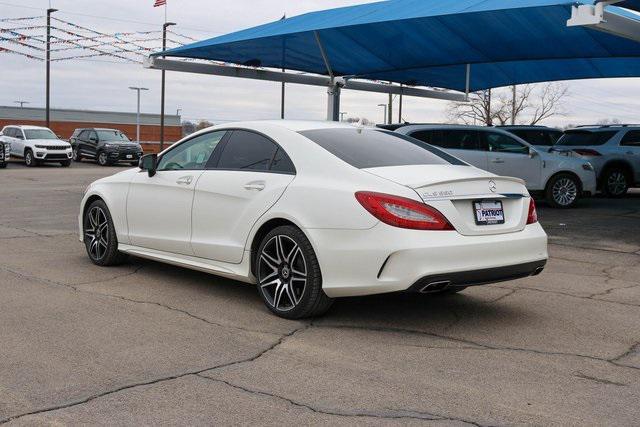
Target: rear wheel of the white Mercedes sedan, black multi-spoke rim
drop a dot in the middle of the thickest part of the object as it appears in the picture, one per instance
(288, 275)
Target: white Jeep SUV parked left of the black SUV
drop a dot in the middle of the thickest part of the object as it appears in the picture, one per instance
(36, 145)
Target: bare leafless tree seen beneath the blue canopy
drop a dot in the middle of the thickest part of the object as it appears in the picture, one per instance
(527, 105)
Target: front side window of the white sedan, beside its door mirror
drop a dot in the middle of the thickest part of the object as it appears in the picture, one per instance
(192, 154)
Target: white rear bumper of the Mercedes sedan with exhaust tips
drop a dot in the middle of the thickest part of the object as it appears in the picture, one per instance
(388, 259)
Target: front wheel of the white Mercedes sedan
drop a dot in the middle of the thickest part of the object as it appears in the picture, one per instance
(99, 236)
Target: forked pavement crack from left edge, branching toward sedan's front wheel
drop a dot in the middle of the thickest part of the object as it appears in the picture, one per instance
(75, 288)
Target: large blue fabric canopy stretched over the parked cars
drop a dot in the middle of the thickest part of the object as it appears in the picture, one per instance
(430, 43)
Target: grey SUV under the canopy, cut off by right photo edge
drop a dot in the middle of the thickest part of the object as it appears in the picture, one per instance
(614, 152)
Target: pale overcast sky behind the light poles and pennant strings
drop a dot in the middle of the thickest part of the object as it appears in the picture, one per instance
(103, 85)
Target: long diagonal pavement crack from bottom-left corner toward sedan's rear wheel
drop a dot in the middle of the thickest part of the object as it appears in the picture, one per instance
(85, 400)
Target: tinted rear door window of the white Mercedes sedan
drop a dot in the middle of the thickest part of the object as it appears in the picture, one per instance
(247, 151)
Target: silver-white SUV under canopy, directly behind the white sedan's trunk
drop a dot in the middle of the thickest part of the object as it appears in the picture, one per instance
(562, 180)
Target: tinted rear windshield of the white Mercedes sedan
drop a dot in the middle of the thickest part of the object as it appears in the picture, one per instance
(367, 148)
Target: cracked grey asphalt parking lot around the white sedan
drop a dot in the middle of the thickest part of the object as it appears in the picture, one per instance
(148, 343)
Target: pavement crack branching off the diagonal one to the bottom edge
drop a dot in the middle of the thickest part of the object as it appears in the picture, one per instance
(392, 414)
